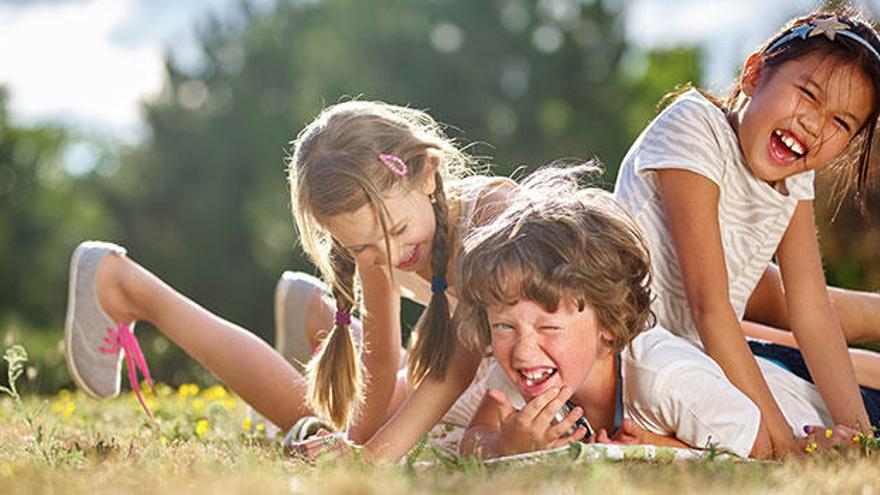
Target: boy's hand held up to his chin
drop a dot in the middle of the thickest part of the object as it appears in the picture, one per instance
(533, 427)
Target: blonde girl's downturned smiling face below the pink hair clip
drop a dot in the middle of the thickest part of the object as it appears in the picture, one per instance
(410, 228)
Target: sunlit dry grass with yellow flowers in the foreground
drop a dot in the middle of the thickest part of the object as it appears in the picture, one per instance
(70, 443)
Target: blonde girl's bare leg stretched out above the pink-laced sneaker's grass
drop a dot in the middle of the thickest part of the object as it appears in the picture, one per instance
(238, 358)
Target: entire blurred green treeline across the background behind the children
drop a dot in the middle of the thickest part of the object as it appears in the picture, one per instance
(203, 202)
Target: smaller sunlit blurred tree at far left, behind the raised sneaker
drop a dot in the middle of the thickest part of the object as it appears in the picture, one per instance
(46, 208)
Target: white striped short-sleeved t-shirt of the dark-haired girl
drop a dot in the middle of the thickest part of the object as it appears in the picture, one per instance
(693, 134)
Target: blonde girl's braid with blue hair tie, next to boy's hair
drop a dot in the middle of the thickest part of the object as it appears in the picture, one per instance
(432, 339)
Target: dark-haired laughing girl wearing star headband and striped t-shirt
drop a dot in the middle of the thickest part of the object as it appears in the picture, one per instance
(721, 188)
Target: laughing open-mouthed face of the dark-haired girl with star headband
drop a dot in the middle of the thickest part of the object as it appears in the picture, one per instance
(801, 114)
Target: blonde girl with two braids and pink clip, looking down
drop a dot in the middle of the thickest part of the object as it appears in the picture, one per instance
(381, 202)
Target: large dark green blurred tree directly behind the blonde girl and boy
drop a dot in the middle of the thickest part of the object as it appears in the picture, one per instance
(205, 202)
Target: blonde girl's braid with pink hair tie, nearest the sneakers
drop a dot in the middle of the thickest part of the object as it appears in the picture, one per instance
(336, 375)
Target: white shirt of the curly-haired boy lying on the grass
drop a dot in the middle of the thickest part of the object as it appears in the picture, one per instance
(671, 387)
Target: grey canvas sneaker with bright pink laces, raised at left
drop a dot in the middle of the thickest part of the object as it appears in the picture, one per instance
(86, 325)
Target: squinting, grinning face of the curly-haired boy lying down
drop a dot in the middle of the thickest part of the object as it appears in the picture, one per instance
(538, 349)
